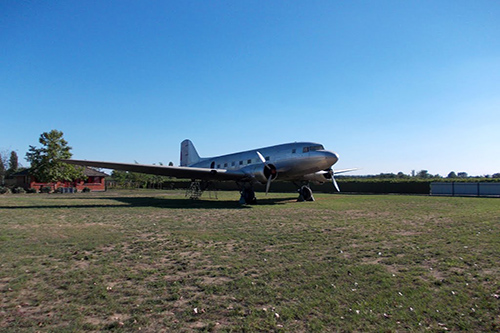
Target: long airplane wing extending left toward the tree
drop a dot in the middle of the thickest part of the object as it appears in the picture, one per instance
(177, 172)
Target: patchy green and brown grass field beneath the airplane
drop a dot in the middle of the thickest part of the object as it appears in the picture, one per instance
(152, 260)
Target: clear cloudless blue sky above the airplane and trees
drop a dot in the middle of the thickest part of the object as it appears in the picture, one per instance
(389, 85)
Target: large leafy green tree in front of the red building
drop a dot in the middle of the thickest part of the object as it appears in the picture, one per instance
(45, 161)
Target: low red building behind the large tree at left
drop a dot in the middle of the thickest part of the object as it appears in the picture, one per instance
(94, 180)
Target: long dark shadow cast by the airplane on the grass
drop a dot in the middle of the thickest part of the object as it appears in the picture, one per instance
(131, 202)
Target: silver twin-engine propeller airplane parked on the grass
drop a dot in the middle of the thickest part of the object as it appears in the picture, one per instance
(299, 162)
